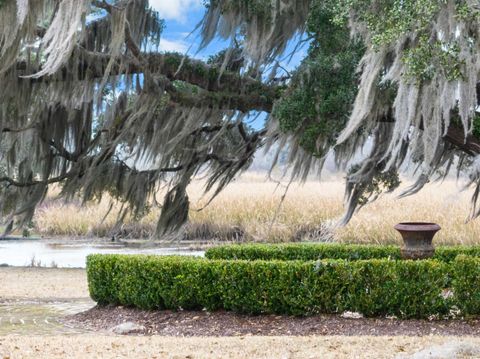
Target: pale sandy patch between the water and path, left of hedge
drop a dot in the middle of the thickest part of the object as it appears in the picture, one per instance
(42, 283)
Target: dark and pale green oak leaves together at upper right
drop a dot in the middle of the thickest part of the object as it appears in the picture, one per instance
(316, 107)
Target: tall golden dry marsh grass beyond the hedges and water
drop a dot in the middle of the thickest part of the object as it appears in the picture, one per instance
(249, 210)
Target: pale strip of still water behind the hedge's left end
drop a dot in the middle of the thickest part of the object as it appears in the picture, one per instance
(70, 254)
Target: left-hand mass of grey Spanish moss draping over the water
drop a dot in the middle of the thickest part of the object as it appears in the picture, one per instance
(84, 104)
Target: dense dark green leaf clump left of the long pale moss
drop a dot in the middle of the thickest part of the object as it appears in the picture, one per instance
(317, 105)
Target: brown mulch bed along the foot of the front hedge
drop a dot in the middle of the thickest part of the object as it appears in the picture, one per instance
(221, 323)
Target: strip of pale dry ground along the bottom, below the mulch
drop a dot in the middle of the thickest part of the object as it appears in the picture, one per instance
(241, 347)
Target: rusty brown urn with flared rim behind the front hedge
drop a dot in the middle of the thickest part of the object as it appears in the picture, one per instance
(417, 239)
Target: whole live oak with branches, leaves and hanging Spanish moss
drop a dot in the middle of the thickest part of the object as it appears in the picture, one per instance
(87, 100)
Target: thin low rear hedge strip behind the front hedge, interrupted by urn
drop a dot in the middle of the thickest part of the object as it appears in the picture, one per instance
(315, 251)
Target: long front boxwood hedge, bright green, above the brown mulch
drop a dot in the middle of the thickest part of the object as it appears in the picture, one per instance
(376, 287)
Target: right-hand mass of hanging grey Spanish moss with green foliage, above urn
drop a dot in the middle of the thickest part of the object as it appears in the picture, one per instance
(419, 72)
